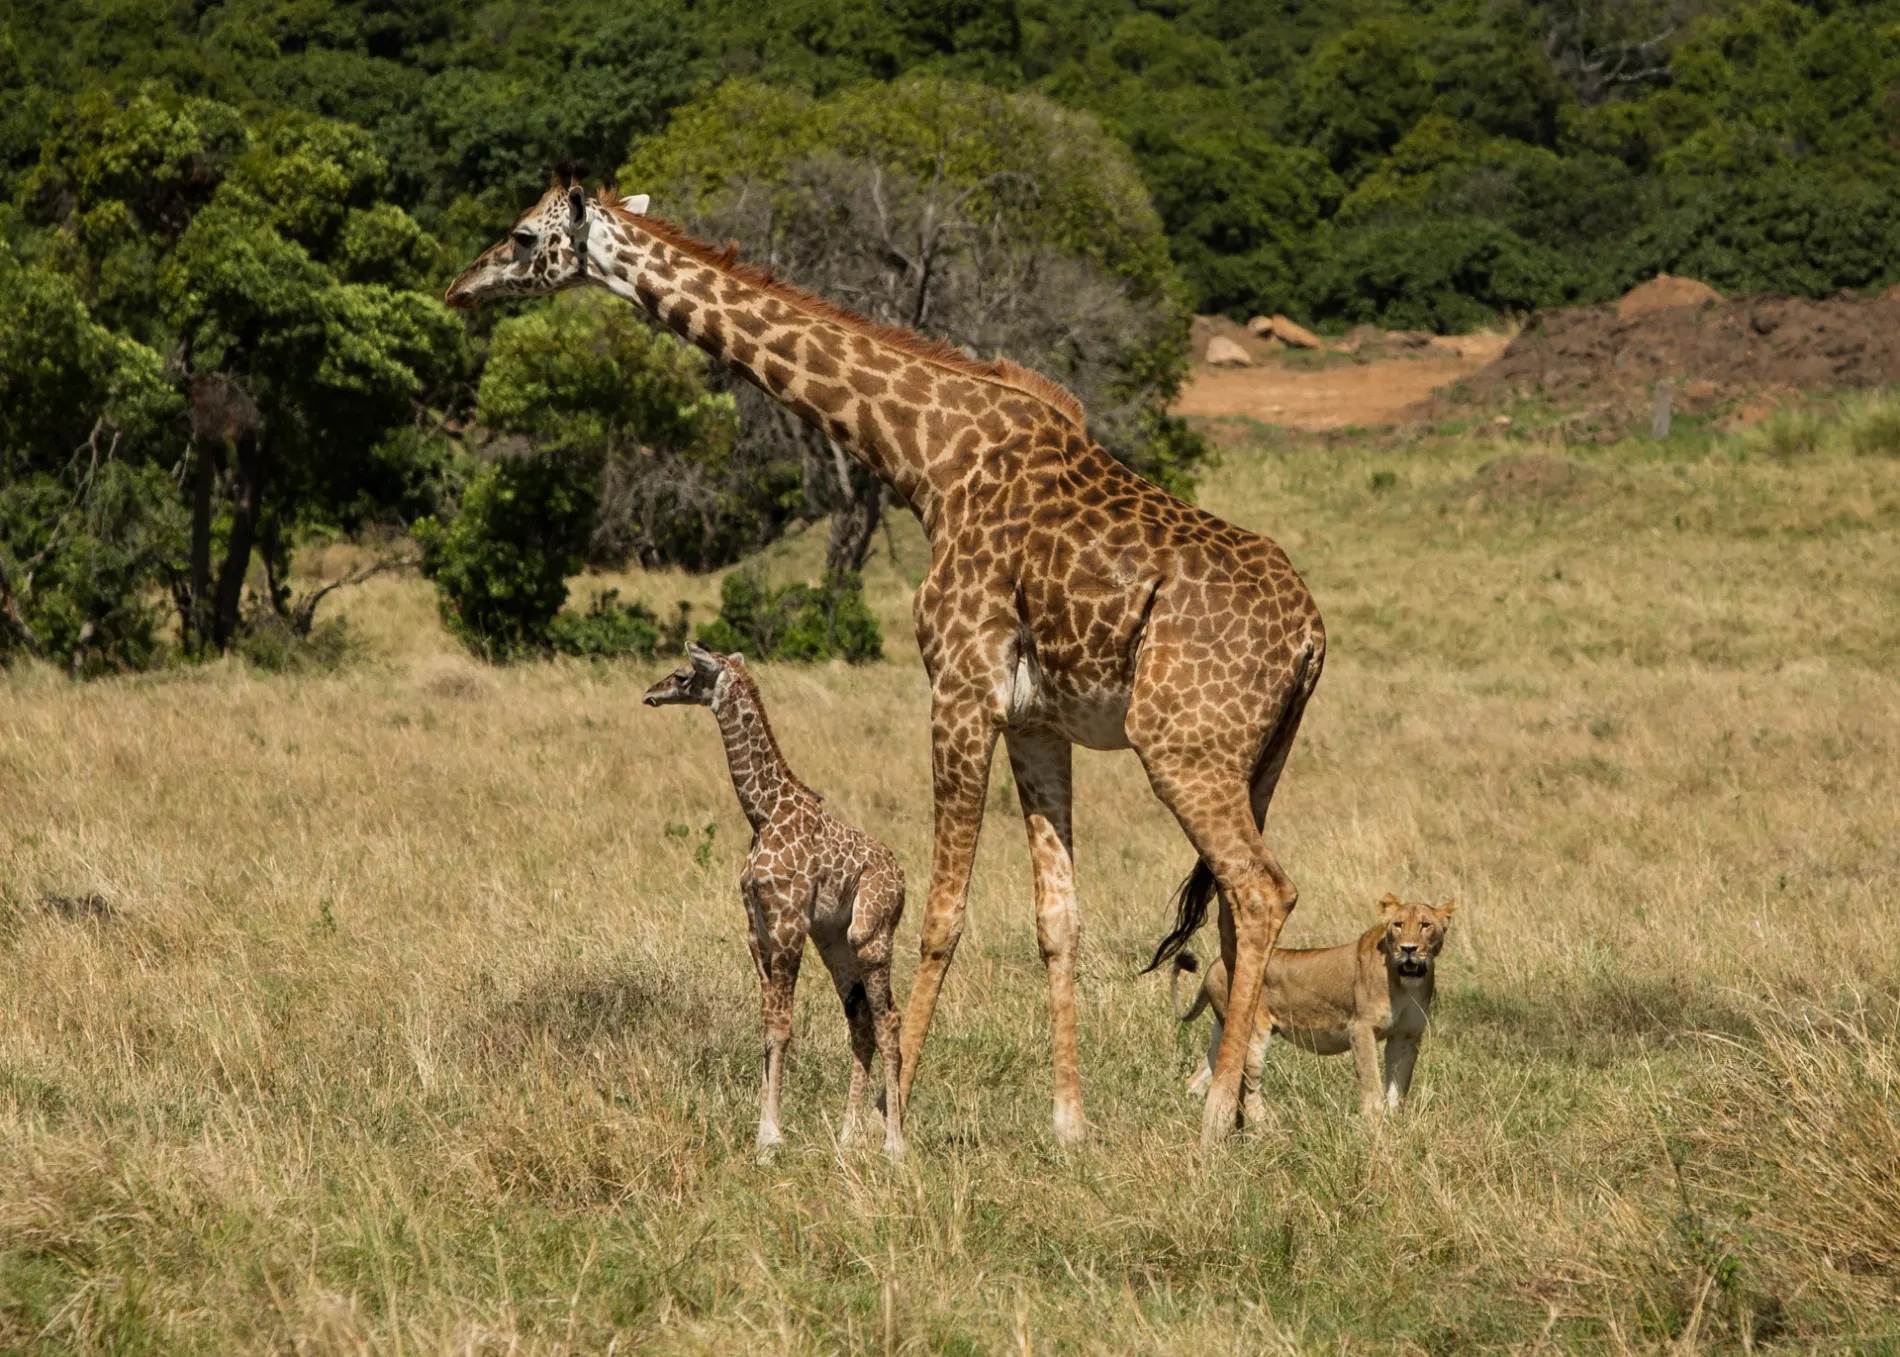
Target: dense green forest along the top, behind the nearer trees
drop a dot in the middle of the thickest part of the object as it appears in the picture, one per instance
(1268, 136)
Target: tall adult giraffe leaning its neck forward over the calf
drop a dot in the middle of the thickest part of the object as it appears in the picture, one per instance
(1067, 600)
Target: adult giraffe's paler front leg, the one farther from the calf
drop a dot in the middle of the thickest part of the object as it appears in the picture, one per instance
(1042, 763)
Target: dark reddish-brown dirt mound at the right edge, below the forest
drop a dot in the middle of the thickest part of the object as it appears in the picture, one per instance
(1717, 353)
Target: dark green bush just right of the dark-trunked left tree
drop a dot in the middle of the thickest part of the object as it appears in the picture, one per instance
(503, 565)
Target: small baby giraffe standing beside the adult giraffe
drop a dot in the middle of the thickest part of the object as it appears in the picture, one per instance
(808, 875)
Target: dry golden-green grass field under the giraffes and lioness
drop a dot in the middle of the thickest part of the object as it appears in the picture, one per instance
(406, 1008)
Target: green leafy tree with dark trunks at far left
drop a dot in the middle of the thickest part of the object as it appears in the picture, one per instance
(284, 292)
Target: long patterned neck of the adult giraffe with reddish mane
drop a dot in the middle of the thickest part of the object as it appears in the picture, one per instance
(873, 398)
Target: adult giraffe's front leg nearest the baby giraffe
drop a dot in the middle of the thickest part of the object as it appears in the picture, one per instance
(962, 746)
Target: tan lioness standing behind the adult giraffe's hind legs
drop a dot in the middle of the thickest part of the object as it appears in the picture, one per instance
(1340, 999)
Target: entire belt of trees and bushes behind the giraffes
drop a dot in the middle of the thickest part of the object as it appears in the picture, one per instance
(225, 231)
